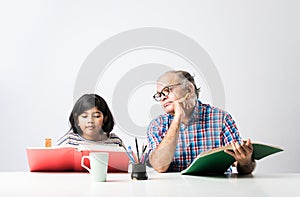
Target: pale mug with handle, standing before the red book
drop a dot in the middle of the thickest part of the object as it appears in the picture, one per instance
(98, 165)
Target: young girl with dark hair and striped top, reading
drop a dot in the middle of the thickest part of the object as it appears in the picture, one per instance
(91, 123)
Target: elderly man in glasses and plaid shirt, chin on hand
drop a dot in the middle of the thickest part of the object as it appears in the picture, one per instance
(190, 127)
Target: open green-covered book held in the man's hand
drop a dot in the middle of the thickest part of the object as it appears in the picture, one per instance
(216, 161)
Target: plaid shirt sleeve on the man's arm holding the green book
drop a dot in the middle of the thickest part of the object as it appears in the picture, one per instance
(229, 130)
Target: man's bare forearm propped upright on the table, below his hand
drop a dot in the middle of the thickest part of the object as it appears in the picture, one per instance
(161, 158)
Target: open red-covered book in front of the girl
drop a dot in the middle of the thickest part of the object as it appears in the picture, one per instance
(61, 158)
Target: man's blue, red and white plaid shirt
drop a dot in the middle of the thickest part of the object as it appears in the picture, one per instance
(208, 128)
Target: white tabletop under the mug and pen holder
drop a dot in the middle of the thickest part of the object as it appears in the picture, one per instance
(164, 184)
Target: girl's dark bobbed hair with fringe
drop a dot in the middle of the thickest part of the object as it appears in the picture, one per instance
(87, 102)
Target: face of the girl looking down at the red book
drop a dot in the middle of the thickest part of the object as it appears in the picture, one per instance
(91, 122)
